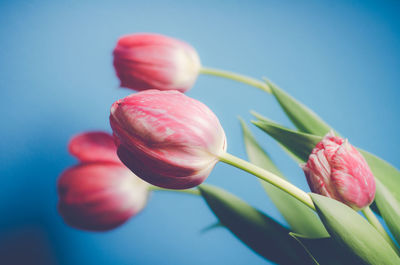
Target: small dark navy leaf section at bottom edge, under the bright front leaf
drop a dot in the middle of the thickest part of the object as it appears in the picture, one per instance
(326, 251)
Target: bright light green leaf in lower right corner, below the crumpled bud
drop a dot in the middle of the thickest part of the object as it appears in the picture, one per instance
(348, 228)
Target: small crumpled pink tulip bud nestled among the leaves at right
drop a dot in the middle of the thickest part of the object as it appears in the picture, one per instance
(337, 170)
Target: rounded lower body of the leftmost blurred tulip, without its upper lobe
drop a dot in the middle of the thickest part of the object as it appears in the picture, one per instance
(100, 196)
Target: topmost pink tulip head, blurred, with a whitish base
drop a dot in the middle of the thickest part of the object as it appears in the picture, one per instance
(152, 61)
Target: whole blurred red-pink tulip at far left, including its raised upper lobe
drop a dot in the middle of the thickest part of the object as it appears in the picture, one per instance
(99, 194)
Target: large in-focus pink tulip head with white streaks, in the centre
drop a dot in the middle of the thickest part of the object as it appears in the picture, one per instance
(166, 138)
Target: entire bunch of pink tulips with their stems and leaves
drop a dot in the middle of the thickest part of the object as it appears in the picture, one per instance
(165, 140)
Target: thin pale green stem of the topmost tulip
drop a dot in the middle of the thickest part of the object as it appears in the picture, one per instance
(237, 77)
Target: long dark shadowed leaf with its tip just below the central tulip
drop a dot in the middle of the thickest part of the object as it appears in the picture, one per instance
(258, 231)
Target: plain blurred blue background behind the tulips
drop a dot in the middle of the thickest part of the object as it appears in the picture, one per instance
(341, 58)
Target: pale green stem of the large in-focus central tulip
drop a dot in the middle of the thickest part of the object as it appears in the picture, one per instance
(269, 177)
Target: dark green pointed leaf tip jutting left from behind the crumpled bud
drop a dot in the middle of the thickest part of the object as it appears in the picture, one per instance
(298, 144)
